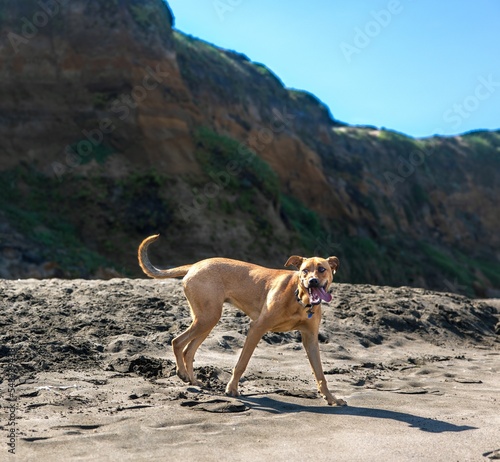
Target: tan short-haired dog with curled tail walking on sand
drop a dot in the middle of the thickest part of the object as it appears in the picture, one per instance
(275, 300)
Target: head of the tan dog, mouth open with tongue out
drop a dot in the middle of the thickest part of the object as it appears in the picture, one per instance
(315, 276)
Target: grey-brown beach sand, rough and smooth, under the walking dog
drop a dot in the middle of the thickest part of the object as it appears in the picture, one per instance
(88, 375)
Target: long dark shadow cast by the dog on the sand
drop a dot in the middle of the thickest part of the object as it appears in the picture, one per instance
(268, 404)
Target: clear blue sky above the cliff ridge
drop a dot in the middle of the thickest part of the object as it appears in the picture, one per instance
(421, 67)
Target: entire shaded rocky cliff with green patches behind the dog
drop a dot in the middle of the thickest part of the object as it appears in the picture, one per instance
(115, 126)
